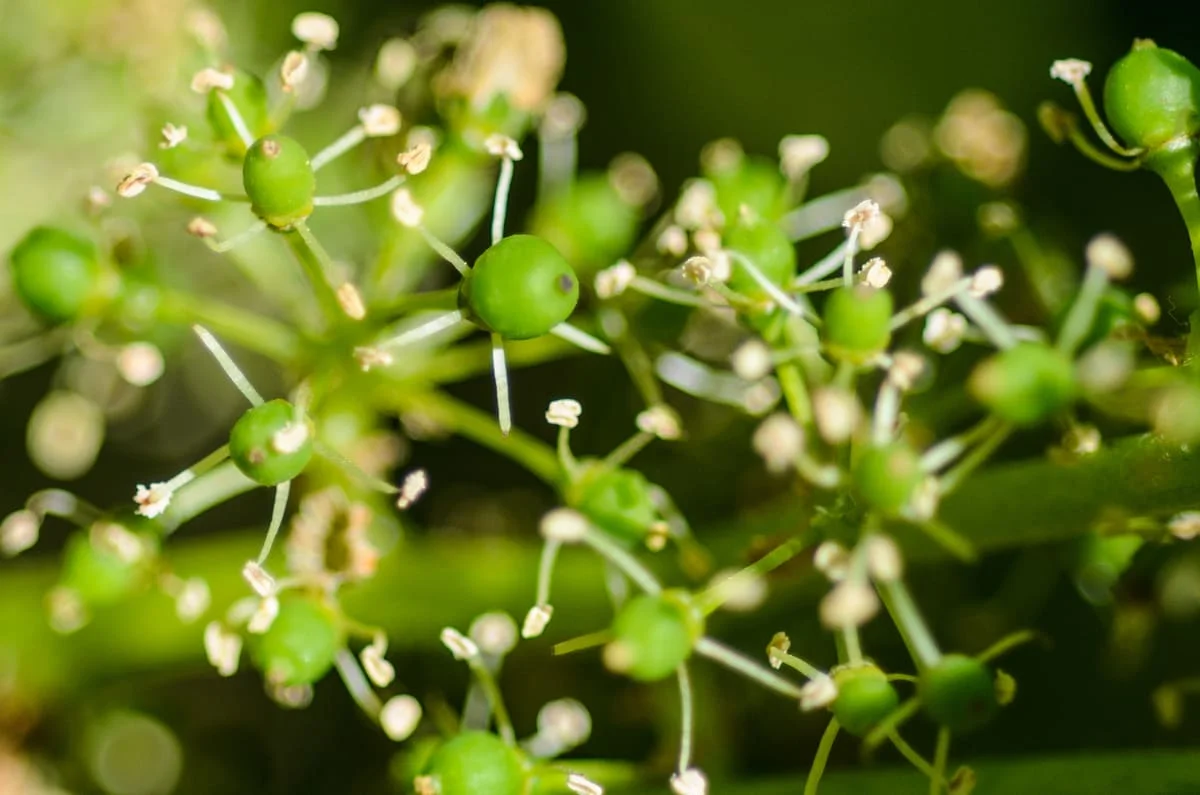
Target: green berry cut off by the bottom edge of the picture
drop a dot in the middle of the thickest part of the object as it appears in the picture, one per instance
(477, 763)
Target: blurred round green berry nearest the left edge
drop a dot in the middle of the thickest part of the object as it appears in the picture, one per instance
(57, 274)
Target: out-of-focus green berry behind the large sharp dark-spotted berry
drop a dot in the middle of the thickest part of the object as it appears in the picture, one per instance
(589, 223)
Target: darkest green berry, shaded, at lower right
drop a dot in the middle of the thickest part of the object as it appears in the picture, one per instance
(959, 694)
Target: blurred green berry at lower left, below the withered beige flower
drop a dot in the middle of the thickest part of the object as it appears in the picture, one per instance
(302, 643)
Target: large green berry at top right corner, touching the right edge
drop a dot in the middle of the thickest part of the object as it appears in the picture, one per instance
(1153, 97)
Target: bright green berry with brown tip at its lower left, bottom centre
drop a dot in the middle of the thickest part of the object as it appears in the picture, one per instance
(653, 636)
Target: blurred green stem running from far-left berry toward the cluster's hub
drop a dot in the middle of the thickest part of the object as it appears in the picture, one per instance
(249, 330)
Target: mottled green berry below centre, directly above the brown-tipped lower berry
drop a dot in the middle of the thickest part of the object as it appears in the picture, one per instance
(617, 500)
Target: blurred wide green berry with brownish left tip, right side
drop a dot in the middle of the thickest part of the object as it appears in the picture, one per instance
(1025, 384)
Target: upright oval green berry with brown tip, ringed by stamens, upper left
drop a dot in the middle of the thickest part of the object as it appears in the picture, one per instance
(279, 181)
